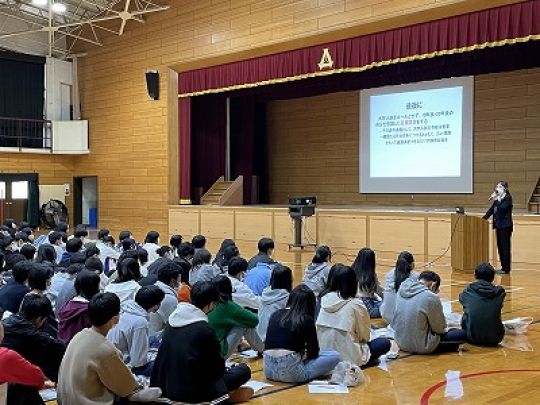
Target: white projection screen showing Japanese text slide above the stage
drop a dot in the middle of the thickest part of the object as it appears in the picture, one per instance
(417, 138)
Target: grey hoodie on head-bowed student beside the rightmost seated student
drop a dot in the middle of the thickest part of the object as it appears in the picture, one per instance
(418, 318)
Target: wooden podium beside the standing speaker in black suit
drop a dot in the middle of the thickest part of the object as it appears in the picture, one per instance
(470, 242)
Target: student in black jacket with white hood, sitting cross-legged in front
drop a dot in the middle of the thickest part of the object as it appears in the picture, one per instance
(194, 371)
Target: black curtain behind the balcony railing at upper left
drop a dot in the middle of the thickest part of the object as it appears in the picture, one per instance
(22, 89)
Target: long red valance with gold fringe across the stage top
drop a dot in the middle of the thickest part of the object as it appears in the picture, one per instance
(499, 26)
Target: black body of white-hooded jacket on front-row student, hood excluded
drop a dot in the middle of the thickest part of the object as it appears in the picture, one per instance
(189, 367)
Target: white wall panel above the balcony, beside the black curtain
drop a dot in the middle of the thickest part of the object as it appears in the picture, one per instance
(58, 73)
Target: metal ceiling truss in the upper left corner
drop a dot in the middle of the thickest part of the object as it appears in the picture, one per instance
(81, 21)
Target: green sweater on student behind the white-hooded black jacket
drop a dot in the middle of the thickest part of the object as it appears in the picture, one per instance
(226, 316)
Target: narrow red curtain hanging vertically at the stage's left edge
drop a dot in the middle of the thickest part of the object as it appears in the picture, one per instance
(184, 150)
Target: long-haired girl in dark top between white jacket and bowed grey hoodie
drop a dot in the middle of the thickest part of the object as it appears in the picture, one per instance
(369, 288)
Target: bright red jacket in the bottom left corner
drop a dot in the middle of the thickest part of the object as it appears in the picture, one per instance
(16, 369)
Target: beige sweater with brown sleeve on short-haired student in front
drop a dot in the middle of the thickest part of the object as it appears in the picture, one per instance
(92, 372)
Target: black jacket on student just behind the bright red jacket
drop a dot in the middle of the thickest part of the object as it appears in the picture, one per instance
(34, 345)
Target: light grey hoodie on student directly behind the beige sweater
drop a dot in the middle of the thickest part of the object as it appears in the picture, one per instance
(130, 335)
